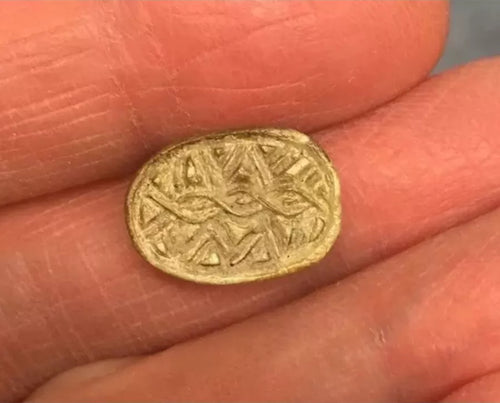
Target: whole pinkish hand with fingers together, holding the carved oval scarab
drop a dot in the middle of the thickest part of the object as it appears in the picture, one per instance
(404, 308)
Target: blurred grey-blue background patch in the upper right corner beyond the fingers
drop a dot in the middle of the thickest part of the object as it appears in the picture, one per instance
(474, 32)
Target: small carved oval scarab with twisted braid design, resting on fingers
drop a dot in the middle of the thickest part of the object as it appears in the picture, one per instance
(235, 206)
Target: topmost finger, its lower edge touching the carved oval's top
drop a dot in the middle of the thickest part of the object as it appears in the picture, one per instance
(90, 89)
